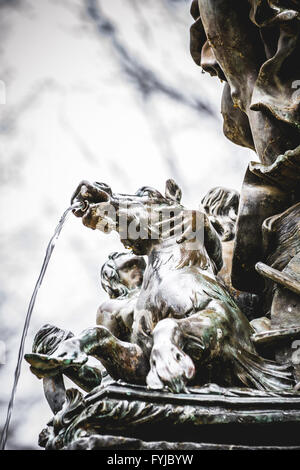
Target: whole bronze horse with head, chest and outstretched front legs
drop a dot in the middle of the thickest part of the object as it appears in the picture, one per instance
(175, 339)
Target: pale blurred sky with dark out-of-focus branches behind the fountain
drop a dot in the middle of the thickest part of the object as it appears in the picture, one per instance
(102, 90)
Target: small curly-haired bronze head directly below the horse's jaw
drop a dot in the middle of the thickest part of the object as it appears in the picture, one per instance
(121, 273)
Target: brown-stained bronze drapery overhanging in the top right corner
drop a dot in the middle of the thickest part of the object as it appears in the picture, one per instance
(254, 47)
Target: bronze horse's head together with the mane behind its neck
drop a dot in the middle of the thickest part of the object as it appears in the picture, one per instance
(146, 218)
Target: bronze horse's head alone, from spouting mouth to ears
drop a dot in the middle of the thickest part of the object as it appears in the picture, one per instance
(134, 216)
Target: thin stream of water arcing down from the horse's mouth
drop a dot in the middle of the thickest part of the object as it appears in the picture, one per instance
(49, 251)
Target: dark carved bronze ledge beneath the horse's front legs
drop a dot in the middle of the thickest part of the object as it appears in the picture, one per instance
(120, 416)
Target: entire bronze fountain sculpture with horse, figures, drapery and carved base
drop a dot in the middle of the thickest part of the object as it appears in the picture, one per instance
(204, 335)
